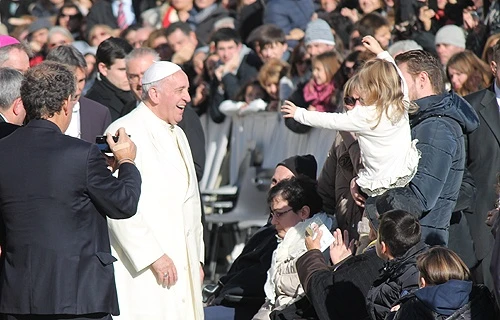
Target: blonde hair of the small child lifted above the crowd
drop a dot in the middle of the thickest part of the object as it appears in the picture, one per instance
(380, 85)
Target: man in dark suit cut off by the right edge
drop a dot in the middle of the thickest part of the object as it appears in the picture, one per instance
(483, 162)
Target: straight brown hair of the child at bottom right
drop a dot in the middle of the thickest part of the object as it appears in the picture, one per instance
(440, 264)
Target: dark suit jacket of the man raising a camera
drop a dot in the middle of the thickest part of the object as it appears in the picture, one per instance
(55, 194)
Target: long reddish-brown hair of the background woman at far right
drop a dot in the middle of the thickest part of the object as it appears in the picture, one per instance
(477, 71)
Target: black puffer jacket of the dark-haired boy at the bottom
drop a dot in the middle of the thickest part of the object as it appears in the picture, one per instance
(398, 278)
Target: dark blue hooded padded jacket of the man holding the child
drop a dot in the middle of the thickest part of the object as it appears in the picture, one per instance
(440, 125)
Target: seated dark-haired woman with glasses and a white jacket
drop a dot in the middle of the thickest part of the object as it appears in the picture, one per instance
(294, 205)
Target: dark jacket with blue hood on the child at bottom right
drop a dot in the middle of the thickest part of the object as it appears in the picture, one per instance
(455, 299)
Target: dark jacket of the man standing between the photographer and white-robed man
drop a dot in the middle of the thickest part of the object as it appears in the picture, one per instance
(94, 119)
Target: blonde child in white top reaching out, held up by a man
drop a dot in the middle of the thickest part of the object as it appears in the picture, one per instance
(380, 121)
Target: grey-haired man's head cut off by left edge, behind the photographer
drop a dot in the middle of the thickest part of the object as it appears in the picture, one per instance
(12, 111)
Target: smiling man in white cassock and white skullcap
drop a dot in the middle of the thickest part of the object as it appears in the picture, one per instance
(160, 249)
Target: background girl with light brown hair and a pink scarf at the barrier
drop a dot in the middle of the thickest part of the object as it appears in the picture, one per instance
(319, 93)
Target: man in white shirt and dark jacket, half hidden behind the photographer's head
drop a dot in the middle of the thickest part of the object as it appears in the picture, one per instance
(90, 118)
